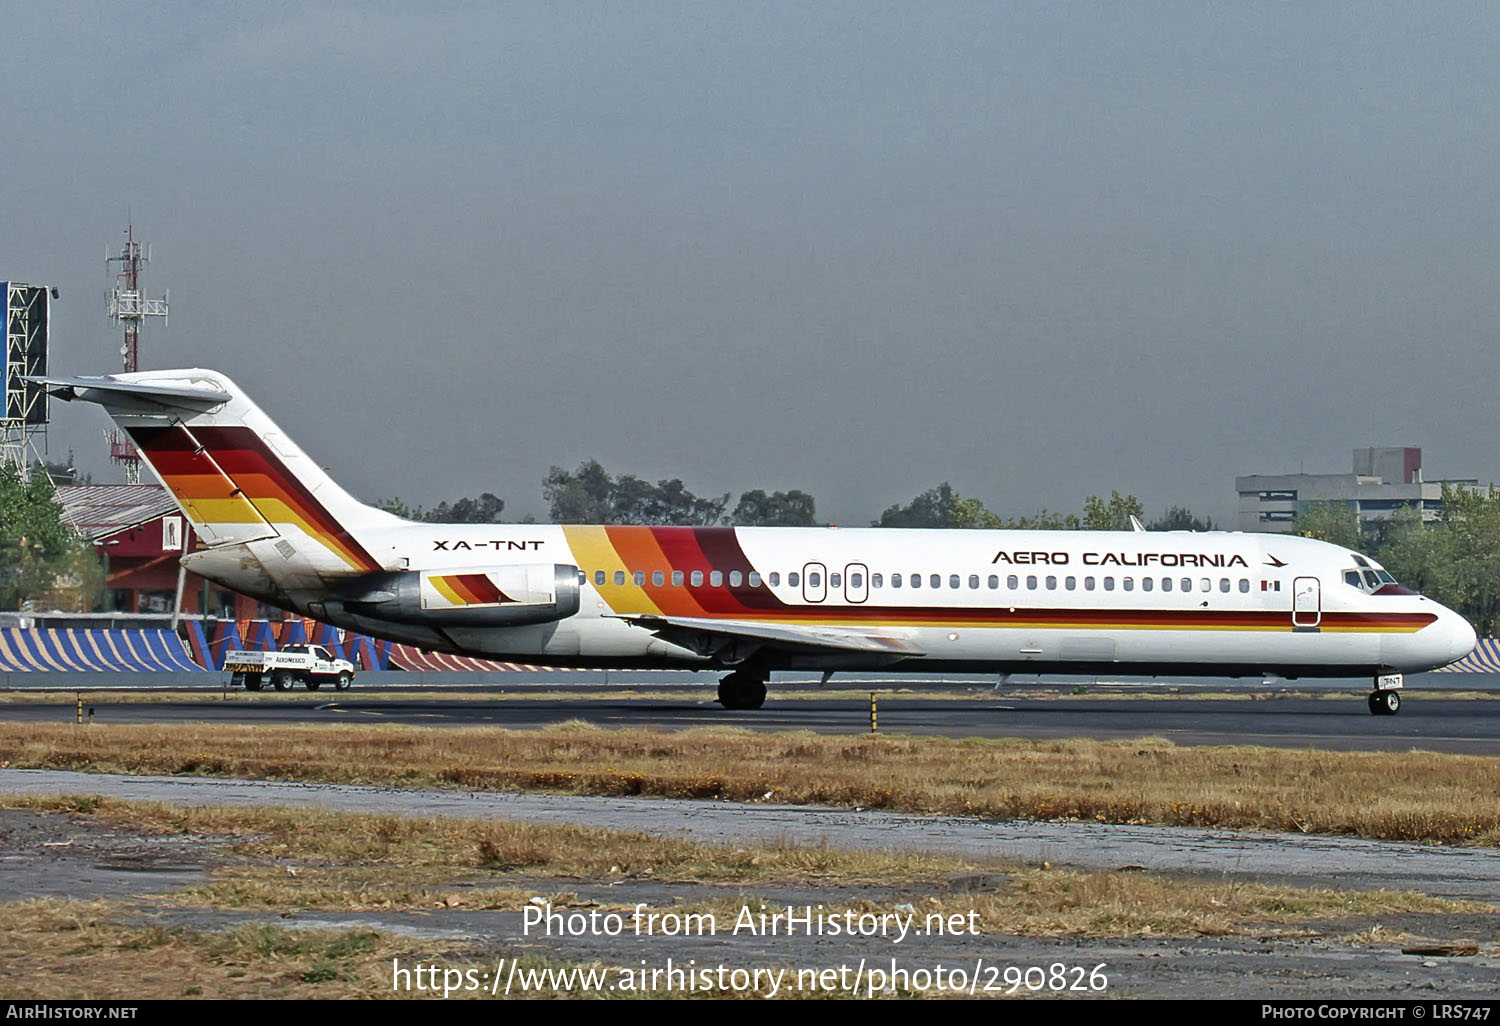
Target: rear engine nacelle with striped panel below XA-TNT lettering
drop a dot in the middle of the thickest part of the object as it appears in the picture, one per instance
(509, 596)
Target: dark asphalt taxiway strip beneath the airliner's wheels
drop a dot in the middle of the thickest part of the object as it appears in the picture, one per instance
(1340, 722)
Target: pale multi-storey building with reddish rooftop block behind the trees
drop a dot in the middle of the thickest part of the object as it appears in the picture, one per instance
(1384, 481)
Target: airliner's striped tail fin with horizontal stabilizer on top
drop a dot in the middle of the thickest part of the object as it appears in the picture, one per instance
(238, 478)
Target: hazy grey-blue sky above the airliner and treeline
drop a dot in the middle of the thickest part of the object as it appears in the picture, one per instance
(1034, 250)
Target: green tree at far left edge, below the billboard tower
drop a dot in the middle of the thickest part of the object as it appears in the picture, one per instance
(37, 547)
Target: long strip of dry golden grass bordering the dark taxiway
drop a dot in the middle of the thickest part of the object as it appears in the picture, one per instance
(1426, 797)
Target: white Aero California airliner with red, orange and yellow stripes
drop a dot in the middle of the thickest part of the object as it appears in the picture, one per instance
(754, 601)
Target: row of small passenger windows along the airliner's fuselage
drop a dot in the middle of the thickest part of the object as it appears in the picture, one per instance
(1013, 583)
